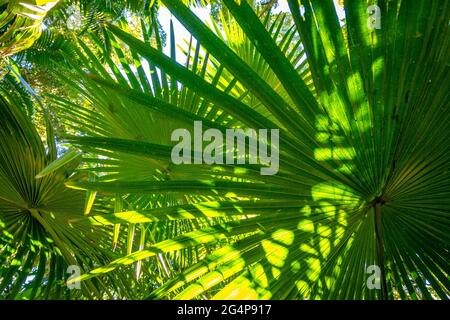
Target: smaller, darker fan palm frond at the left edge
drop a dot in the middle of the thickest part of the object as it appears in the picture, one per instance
(39, 245)
